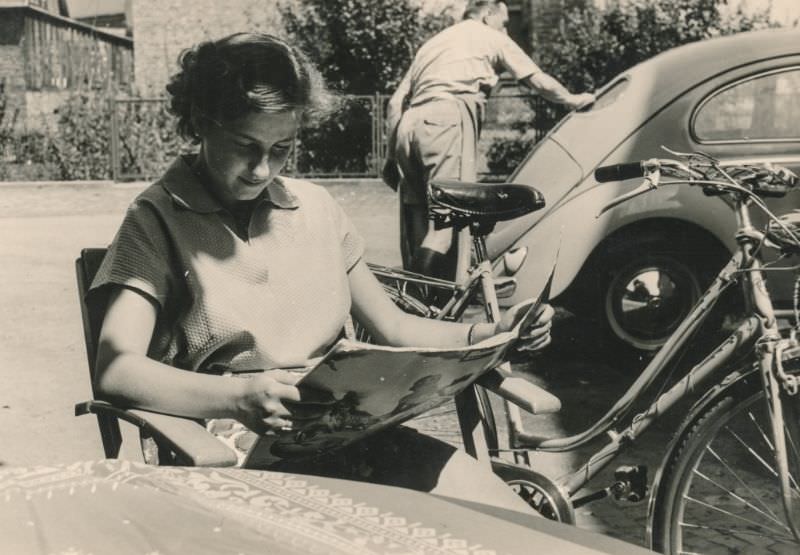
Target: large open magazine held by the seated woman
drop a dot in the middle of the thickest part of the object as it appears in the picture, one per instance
(371, 387)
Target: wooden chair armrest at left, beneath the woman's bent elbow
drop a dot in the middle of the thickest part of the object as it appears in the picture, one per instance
(192, 444)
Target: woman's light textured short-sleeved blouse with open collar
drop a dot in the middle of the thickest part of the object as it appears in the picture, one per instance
(273, 297)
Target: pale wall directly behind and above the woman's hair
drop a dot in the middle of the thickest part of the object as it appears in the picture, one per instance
(163, 28)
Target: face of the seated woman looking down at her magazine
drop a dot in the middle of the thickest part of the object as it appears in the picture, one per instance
(242, 156)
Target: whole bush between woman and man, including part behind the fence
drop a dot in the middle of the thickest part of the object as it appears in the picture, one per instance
(362, 47)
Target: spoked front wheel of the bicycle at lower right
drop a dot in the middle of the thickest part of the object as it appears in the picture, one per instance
(718, 491)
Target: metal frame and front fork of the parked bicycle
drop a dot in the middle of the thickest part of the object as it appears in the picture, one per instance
(759, 329)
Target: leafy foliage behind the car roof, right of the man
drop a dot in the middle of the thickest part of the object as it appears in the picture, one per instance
(593, 45)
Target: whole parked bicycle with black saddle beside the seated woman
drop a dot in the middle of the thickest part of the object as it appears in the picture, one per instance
(741, 438)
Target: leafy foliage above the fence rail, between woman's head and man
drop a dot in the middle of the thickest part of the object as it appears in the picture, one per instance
(361, 46)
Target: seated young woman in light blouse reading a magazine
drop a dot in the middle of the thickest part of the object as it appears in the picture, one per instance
(224, 266)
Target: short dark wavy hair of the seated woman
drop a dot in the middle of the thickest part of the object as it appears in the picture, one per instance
(244, 72)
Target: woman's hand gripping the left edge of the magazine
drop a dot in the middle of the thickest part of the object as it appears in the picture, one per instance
(260, 403)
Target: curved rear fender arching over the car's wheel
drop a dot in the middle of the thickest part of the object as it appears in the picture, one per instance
(571, 231)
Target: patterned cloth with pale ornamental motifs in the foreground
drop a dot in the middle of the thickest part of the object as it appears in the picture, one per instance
(127, 508)
